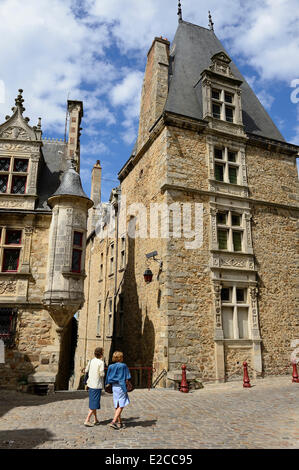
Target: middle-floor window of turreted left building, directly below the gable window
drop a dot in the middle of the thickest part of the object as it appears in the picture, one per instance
(10, 249)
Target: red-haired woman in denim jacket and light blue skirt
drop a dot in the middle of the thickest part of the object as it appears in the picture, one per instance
(117, 374)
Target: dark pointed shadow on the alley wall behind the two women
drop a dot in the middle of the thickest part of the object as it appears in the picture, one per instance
(134, 332)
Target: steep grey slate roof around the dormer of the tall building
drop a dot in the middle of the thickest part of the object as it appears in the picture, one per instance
(191, 52)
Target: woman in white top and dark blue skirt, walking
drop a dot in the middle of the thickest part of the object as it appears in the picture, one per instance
(96, 372)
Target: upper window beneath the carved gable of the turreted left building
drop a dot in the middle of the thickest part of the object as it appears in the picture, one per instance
(13, 175)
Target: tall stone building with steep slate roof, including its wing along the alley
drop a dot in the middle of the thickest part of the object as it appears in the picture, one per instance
(208, 154)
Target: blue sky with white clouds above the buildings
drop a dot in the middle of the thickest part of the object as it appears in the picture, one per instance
(95, 51)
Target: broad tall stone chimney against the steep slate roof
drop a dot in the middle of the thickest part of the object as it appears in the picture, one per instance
(155, 88)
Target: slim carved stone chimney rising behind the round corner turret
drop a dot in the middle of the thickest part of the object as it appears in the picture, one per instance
(75, 110)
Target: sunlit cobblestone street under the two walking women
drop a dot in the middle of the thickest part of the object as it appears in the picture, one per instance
(219, 416)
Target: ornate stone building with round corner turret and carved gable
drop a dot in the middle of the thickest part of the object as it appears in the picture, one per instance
(43, 224)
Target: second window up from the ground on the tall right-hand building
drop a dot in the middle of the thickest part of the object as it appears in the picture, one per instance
(230, 231)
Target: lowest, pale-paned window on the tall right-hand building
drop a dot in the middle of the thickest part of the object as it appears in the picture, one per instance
(235, 312)
